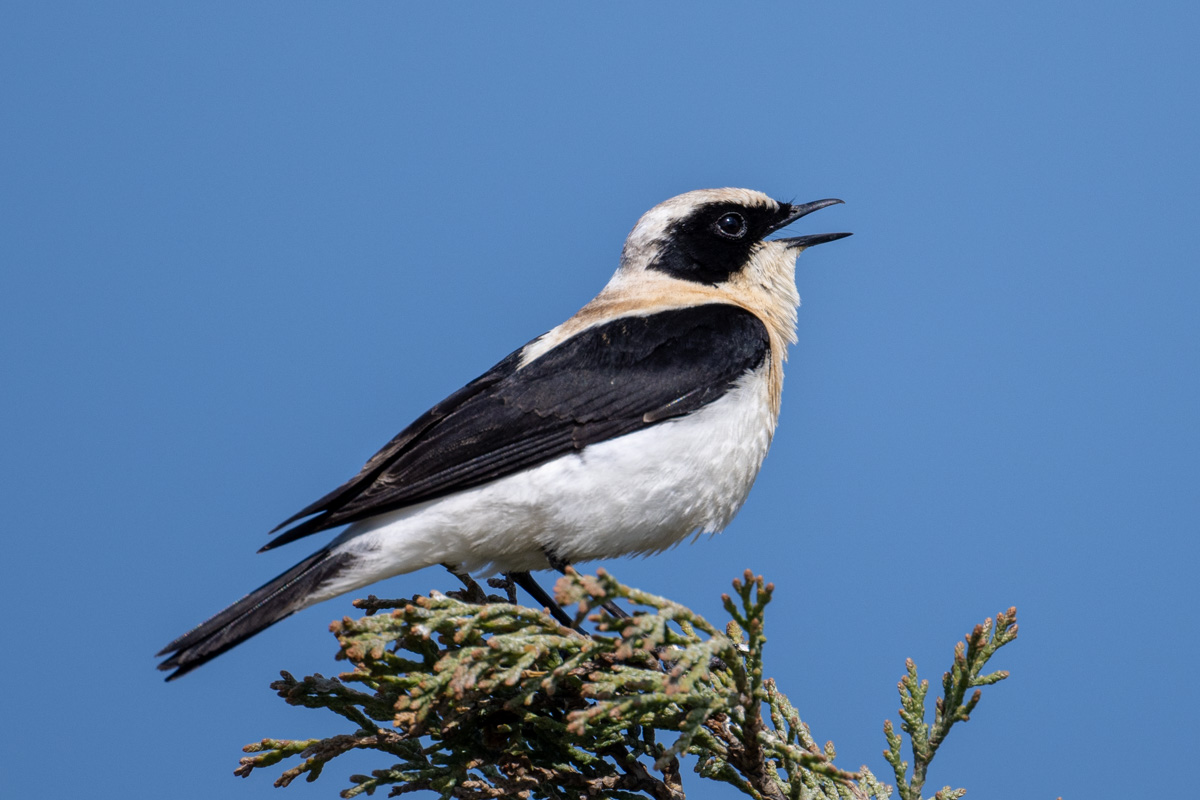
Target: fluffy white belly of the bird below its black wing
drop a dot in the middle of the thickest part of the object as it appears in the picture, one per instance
(637, 495)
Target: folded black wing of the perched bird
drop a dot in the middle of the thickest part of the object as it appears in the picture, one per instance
(607, 382)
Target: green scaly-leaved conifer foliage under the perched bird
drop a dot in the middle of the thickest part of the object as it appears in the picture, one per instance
(476, 697)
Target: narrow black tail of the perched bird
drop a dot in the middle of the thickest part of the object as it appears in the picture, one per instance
(256, 612)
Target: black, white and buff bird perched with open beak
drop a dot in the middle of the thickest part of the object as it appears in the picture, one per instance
(639, 423)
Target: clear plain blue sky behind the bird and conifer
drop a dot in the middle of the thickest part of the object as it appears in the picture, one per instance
(245, 244)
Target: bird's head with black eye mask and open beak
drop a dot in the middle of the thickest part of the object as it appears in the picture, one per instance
(715, 237)
